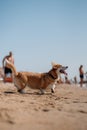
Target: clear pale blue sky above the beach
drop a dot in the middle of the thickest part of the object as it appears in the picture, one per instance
(41, 31)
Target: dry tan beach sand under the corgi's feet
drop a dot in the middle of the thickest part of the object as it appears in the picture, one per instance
(66, 109)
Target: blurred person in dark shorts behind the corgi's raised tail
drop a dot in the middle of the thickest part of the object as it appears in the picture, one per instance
(4, 64)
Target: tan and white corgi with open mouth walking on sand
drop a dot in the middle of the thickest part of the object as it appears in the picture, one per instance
(36, 80)
